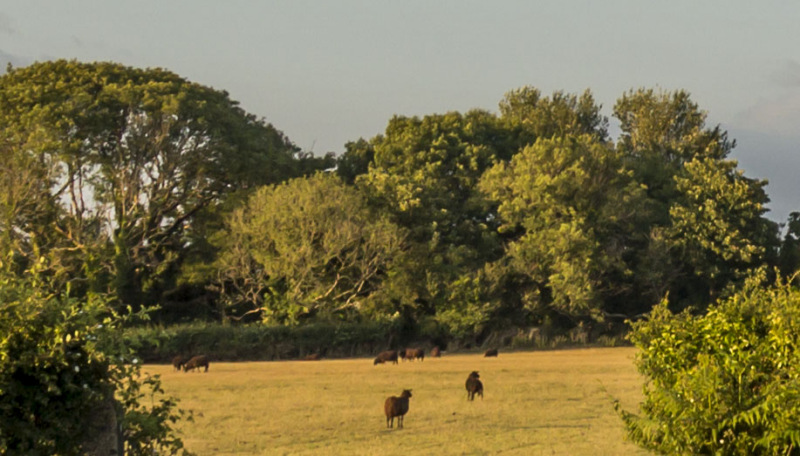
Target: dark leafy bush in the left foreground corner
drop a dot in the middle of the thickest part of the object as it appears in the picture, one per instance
(60, 362)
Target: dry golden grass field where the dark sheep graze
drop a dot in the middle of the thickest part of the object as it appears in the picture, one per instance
(536, 403)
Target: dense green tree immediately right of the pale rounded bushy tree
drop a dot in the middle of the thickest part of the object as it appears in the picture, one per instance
(424, 174)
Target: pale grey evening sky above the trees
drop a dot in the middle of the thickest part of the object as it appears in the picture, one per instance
(329, 72)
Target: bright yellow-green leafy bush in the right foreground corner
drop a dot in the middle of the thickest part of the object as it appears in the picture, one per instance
(721, 383)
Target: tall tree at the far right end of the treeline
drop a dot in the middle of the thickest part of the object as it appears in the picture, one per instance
(705, 219)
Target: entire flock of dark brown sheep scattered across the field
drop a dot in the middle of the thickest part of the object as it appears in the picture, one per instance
(394, 407)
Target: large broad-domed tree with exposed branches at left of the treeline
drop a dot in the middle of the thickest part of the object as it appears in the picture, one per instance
(136, 157)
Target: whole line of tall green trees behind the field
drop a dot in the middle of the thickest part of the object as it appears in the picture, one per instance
(157, 191)
